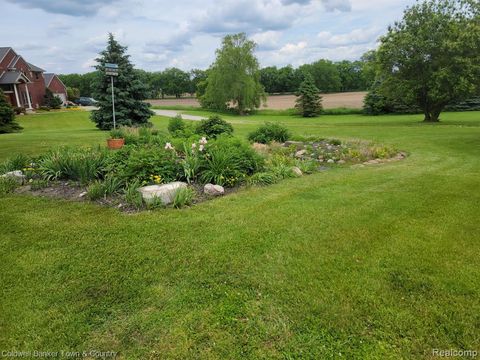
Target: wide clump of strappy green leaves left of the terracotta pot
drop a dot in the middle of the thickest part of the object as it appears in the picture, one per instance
(77, 164)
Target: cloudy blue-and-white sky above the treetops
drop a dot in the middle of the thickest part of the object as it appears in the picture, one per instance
(64, 36)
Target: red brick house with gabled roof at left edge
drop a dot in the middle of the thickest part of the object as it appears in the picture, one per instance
(24, 84)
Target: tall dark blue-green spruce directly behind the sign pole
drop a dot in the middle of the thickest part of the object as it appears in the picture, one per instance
(129, 90)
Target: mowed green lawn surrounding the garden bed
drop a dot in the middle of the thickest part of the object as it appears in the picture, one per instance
(381, 262)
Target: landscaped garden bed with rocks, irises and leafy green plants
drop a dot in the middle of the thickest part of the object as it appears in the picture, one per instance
(187, 166)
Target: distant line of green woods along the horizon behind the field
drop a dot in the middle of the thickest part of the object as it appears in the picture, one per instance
(327, 75)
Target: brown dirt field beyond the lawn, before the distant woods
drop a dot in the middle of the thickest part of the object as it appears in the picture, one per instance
(353, 100)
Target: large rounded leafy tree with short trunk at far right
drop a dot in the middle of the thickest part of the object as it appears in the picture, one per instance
(431, 57)
